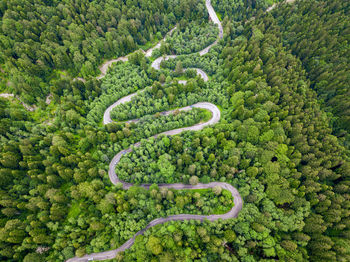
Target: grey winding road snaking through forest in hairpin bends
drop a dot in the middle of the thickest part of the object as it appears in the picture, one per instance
(238, 202)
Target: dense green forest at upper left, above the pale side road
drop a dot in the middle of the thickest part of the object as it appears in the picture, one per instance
(41, 36)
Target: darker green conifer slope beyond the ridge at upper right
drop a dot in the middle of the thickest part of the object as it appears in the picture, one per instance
(316, 32)
